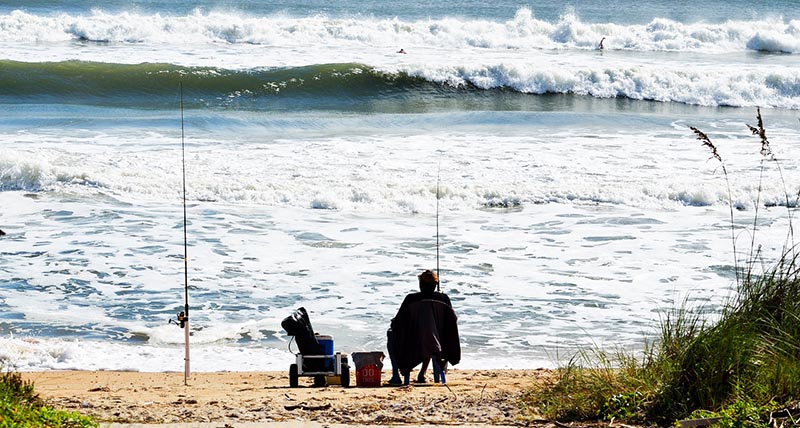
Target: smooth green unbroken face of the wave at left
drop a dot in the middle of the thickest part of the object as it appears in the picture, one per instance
(80, 80)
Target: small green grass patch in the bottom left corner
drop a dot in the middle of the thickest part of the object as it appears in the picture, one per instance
(21, 406)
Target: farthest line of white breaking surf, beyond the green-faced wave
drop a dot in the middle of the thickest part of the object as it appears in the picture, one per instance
(522, 31)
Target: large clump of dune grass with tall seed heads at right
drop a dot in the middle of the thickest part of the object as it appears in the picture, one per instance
(740, 367)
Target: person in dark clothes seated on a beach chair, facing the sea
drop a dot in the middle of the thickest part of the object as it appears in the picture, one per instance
(424, 329)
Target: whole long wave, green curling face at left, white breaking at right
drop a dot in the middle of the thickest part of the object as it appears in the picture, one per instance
(336, 85)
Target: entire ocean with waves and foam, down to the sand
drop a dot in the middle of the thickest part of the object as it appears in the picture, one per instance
(575, 204)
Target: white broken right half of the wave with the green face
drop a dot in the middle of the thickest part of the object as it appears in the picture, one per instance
(705, 86)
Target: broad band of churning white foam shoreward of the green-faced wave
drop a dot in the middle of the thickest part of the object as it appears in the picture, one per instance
(359, 177)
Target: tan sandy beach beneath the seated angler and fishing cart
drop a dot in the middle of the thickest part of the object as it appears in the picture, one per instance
(471, 397)
